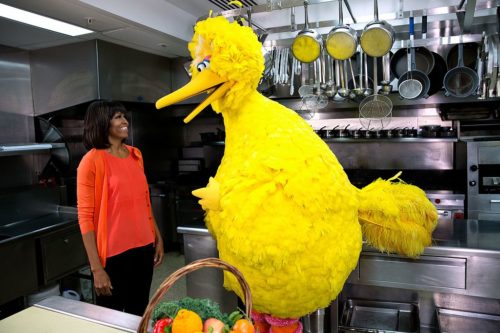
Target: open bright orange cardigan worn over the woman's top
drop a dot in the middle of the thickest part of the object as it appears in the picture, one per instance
(92, 196)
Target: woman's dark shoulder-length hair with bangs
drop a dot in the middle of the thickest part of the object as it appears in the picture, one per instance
(96, 123)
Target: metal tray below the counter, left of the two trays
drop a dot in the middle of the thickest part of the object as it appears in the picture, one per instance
(377, 317)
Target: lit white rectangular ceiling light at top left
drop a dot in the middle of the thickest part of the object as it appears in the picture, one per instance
(41, 21)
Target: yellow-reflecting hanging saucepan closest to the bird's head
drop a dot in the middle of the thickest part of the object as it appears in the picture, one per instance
(306, 46)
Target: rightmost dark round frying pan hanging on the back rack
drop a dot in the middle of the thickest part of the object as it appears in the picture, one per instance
(460, 81)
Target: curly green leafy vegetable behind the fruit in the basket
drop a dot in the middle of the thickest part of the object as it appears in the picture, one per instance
(205, 308)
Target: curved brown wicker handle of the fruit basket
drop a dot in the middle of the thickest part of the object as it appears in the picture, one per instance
(195, 265)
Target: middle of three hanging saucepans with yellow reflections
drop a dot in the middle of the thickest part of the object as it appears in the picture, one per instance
(342, 40)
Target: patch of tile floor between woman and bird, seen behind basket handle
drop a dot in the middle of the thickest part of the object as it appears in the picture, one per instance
(171, 262)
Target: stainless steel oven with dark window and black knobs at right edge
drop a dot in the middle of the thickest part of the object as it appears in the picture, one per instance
(483, 177)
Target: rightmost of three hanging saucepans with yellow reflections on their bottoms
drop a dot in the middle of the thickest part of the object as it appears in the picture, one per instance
(377, 37)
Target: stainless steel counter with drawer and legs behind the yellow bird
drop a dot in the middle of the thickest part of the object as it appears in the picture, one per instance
(463, 262)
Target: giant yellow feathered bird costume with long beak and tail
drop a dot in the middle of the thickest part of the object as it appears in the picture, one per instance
(280, 206)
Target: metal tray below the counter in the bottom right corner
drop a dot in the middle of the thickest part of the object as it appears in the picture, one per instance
(454, 321)
